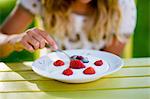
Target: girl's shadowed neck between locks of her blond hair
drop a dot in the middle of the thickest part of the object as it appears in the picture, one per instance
(81, 8)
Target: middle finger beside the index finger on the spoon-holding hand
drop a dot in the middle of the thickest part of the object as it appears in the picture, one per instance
(39, 38)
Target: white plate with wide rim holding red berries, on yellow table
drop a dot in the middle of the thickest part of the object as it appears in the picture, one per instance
(44, 66)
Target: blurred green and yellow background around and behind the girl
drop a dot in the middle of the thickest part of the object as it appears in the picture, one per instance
(138, 46)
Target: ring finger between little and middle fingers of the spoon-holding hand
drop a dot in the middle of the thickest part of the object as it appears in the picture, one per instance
(32, 42)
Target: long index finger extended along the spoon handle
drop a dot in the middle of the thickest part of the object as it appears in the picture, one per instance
(47, 38)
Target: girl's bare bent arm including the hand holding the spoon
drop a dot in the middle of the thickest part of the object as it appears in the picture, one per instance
(12, 33)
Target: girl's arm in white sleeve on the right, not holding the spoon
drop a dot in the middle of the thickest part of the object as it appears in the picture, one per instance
(127, 26)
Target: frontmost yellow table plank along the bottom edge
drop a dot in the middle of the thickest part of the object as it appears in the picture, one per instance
(97, 94)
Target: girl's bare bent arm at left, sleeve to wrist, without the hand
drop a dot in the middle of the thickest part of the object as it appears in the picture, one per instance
(12, 28)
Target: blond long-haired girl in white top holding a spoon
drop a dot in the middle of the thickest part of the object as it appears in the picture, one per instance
(88, 24)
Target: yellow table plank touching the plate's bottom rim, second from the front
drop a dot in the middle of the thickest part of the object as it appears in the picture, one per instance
(51, 85)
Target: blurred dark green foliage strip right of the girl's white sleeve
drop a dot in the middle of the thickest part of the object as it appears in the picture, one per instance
(141, 46)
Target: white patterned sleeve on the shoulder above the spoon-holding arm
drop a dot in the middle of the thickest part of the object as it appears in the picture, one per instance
(33, 6)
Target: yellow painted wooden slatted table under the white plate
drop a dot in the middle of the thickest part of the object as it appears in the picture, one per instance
(18, 81)
